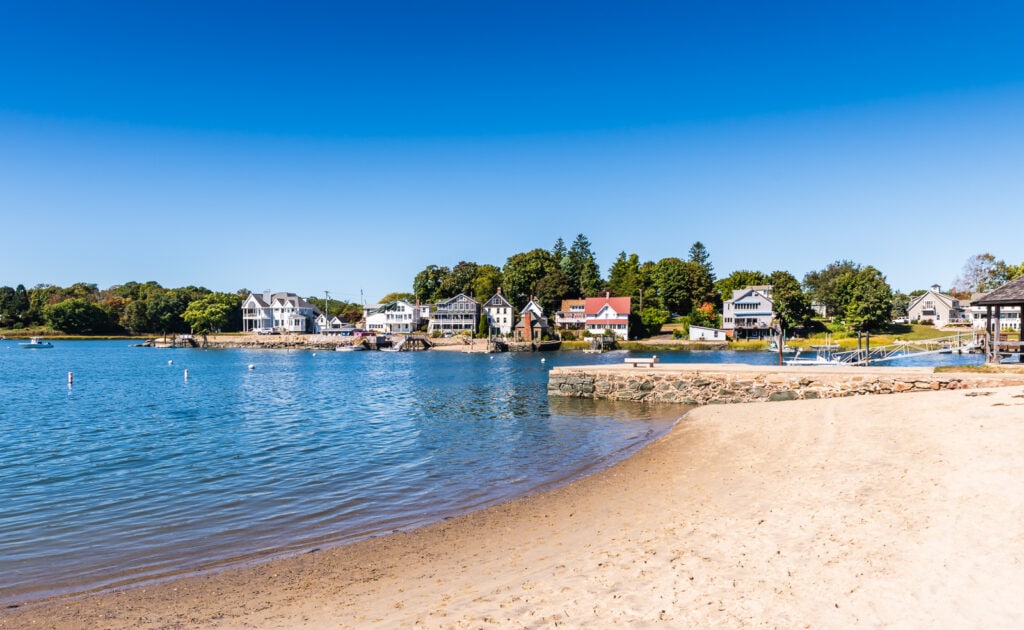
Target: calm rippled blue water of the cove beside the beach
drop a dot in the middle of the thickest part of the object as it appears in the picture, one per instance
(136, 474)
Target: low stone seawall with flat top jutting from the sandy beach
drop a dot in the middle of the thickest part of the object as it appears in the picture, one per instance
(713, 385)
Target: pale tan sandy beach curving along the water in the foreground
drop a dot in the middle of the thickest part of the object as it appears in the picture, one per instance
(892, 511)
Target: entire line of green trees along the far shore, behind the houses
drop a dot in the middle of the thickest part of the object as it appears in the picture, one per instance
(856, 295)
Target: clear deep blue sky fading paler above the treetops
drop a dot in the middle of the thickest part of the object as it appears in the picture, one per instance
(345, 147)
